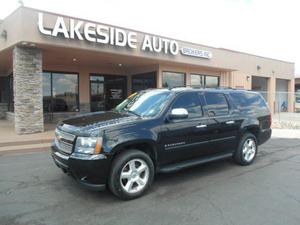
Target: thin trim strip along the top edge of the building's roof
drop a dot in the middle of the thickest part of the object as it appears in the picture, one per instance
(188, 42)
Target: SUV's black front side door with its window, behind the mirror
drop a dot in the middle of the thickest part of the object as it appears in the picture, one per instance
(183, 139)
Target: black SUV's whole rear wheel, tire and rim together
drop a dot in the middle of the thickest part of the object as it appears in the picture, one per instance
(247, 150)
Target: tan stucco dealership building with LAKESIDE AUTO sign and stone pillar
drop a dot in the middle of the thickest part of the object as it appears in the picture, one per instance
(53, 66)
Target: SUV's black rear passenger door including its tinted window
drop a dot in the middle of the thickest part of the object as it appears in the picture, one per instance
(222, 123)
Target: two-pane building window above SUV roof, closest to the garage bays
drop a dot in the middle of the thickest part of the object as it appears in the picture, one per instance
(200, 80)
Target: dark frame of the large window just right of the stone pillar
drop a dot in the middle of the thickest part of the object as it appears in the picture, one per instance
(51, 88)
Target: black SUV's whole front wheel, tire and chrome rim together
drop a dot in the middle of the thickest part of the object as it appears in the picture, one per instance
(131, 175)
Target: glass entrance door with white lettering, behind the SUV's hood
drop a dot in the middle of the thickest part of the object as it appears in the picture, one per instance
(106, 91)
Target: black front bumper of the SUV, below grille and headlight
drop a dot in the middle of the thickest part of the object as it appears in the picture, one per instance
(90, 171)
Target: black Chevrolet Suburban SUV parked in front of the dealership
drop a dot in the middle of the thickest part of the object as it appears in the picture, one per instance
(160, 131)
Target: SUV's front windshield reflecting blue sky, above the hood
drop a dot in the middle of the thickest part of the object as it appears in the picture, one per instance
(145, 104)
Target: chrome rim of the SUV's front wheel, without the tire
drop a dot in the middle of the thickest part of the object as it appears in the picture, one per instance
(134, 176)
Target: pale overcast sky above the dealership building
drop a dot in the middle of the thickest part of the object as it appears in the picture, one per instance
(265, 27)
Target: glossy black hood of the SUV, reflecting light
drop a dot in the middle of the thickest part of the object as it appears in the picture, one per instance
(90, 122)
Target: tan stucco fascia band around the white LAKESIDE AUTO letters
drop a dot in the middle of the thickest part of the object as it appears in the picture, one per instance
(222, 59)
